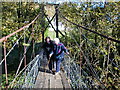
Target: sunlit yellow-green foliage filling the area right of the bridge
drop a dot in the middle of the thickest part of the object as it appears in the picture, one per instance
(99, 51)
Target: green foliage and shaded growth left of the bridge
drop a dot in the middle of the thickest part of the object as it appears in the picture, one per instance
(14, 16)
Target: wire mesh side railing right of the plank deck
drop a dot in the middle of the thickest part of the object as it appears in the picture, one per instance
(78, 77)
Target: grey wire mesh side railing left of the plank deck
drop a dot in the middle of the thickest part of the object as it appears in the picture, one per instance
(28, 76)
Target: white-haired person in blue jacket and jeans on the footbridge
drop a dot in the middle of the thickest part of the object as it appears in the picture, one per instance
(58, 53)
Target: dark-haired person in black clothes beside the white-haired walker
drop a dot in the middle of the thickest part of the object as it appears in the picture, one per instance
(48, 47)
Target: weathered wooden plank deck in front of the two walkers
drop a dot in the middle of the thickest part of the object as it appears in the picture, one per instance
(46, 79)
